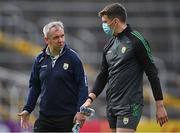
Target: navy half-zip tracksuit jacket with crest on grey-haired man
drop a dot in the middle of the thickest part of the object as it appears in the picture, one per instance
(62, 88)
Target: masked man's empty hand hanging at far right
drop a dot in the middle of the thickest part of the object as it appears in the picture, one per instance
(161, 114)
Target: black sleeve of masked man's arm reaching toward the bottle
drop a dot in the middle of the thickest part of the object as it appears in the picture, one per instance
(102, 77)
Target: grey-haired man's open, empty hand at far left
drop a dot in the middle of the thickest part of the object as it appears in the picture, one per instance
(24, 119)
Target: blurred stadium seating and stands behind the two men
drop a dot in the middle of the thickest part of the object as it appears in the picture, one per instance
(21, 39)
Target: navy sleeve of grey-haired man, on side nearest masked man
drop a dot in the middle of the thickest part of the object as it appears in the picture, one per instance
(81, 80)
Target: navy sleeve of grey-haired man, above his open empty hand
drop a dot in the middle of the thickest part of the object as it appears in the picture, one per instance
(34, 86)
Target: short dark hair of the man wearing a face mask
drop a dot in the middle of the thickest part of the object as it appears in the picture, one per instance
(114, 10)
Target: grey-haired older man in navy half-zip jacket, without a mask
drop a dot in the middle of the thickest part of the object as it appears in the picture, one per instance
(58, 78)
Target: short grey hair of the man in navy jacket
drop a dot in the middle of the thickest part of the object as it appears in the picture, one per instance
(48, 26)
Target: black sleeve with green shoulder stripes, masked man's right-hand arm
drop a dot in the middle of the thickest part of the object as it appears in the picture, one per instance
(144, 56)
